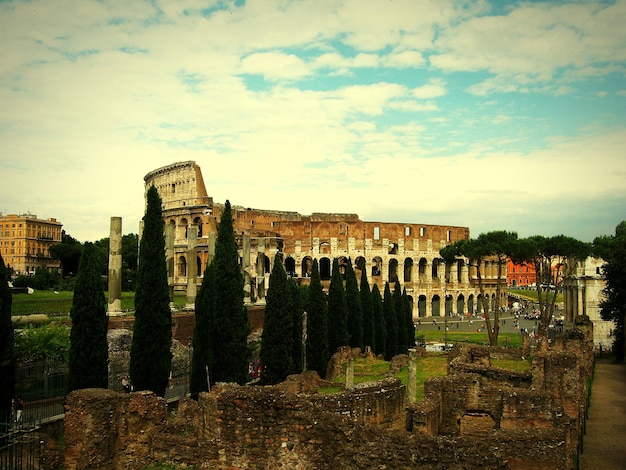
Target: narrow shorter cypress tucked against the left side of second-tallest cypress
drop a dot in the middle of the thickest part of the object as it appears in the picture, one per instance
(203, 341)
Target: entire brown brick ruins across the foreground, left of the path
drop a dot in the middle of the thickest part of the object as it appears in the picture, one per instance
(478, 416)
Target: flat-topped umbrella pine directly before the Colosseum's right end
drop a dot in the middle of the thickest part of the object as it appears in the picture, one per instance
(497, 247)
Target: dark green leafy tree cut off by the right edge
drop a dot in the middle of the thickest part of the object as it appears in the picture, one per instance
(612, 249)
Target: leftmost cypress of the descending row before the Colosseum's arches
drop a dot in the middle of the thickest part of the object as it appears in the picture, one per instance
(278, 324)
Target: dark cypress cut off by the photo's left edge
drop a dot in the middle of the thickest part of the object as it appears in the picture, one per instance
(7, 355)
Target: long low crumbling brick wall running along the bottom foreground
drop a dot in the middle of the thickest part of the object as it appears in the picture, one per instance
(248, 427)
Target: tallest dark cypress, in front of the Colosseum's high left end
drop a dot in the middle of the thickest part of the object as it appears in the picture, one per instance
(150, 352)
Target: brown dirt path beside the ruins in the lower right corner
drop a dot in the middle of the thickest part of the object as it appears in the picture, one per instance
(604, 444)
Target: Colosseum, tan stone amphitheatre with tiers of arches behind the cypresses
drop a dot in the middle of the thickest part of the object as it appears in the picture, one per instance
(389, 252)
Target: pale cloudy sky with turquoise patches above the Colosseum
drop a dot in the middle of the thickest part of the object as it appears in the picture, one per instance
(496, 115)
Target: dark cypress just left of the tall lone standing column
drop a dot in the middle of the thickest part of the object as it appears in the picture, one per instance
(89, 353)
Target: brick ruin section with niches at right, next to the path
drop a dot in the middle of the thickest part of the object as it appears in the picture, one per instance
(534, 419)
